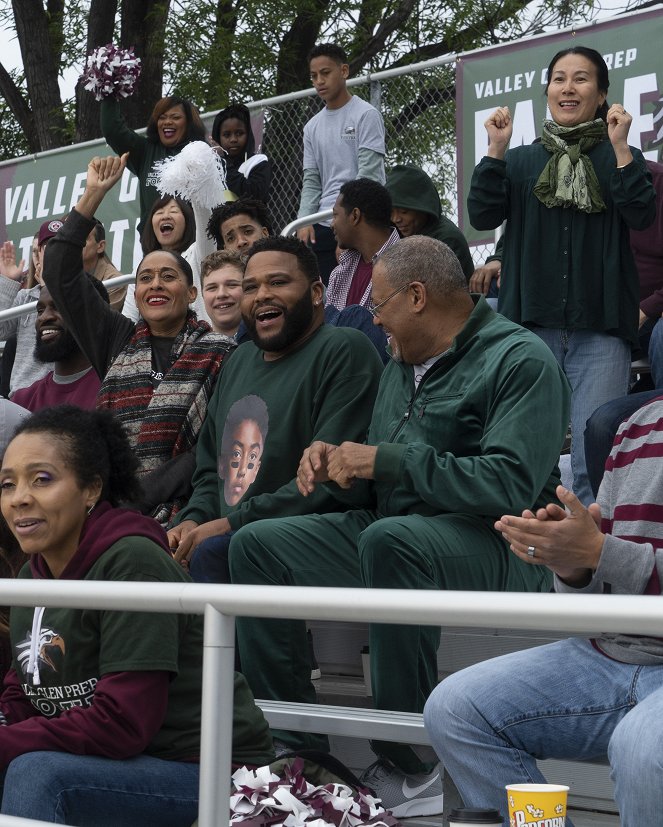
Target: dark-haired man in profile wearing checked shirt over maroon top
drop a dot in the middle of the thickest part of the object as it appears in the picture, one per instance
(362, 228)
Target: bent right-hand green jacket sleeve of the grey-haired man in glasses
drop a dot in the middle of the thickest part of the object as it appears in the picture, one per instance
(529, 397)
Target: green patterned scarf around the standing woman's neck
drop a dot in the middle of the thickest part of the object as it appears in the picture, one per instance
(569, 179)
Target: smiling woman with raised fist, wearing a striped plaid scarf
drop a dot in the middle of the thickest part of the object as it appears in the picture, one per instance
(158, 375)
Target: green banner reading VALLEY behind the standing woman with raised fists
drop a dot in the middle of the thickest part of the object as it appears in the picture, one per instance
(514, 75)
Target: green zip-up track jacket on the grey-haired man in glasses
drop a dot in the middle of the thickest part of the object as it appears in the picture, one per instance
(482, 433)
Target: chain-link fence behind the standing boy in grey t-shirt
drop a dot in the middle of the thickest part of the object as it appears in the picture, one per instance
(418, 104)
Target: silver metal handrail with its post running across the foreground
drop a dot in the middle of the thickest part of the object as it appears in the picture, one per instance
(588, 614)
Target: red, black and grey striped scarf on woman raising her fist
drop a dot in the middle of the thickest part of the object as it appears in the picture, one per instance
(164, 422)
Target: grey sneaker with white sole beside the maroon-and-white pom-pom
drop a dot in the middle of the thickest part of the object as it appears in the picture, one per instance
(405, 795)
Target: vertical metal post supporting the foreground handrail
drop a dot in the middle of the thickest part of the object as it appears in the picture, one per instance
(217, 715)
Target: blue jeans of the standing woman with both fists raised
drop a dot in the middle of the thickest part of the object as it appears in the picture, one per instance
(598, 368)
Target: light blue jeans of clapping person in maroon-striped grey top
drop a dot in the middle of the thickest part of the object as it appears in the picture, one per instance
(490, 723)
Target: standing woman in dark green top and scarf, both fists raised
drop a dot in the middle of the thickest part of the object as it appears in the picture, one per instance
(569, 201)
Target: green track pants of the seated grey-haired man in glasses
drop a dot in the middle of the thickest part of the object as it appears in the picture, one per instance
(357, 549)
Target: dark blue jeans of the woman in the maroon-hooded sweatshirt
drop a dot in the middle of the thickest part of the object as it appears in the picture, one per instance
(91, 791)
